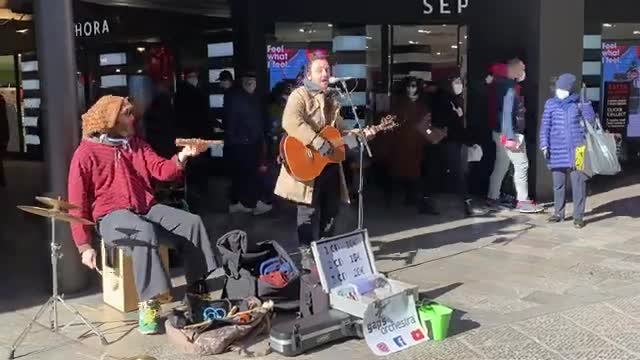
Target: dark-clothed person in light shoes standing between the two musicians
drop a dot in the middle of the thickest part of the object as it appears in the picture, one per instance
(245, 137)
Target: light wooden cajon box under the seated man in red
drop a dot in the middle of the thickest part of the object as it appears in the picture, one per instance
(118, 285)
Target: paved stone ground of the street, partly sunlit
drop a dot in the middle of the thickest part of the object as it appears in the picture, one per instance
(522, 289)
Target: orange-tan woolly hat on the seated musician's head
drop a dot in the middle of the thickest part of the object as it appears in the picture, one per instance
(102, 116)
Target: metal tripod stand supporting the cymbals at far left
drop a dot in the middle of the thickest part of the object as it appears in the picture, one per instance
(54, 300)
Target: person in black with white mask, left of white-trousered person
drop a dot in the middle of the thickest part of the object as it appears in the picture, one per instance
(448, 113)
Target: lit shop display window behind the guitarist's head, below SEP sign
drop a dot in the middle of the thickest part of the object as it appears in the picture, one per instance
(374, 55)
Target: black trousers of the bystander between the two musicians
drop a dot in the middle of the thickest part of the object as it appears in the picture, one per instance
(243, 162)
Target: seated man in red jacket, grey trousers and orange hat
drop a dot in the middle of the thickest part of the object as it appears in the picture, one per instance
(110, 179)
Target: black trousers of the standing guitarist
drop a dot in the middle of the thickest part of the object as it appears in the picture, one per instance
(318, 220)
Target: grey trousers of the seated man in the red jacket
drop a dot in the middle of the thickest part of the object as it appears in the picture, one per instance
(141, 235)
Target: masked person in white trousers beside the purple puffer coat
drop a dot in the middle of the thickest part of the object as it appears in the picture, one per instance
(508, 134)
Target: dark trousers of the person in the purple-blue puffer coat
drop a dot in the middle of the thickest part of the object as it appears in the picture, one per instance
(578, 186)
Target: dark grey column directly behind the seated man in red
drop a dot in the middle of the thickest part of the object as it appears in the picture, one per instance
(60, 118)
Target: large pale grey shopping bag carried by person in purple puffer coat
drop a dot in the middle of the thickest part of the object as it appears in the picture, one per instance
(600, 156)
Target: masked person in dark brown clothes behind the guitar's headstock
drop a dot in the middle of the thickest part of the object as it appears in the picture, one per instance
(403, 153)
